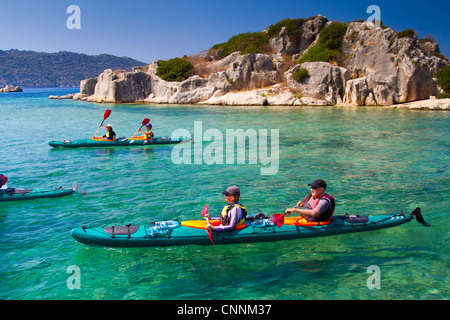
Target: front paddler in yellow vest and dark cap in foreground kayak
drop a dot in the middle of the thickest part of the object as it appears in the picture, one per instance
(232, 214)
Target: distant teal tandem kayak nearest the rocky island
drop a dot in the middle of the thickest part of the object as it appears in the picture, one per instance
(120, 142)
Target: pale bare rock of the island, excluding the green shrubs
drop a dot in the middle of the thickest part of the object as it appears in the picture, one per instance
(376, 68)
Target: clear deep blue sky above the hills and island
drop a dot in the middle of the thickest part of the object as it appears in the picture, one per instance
(162, 29)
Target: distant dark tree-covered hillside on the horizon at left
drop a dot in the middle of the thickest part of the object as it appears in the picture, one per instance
(62, 69)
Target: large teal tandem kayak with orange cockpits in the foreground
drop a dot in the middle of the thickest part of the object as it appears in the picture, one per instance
(174, 233)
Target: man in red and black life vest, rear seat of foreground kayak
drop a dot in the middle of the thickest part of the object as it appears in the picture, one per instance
(317, 206)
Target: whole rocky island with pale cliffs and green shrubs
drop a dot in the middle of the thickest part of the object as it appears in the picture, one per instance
(294, 62)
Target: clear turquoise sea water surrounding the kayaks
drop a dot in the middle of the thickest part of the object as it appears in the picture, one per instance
(376, 161)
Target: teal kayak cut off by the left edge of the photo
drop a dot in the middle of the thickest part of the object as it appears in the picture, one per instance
(13, 194)
